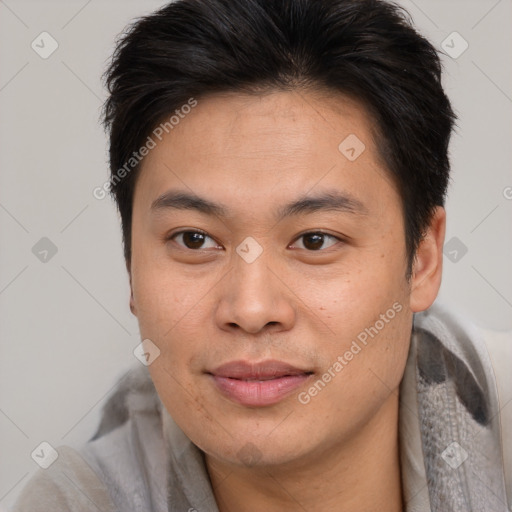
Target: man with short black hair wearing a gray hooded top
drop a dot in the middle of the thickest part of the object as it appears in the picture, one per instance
(280, 168)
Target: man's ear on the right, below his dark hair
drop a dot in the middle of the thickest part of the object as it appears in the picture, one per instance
(428, 264)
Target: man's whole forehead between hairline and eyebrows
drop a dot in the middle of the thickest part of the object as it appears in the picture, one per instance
(240, 145)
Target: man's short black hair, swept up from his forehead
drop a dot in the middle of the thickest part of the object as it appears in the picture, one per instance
(367, 49)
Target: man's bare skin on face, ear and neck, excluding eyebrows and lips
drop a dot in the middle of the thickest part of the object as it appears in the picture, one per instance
(205, 307)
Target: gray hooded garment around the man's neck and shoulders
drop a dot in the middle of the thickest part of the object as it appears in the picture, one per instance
(455, 433)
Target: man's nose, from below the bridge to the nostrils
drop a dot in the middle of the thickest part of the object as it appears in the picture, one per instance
(255, 298)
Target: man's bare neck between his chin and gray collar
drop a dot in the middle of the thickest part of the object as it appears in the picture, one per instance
(363, 474)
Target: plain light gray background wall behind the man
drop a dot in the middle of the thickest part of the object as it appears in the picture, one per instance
(66, 329)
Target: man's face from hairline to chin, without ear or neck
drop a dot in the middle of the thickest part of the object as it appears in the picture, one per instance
(269, 268)
